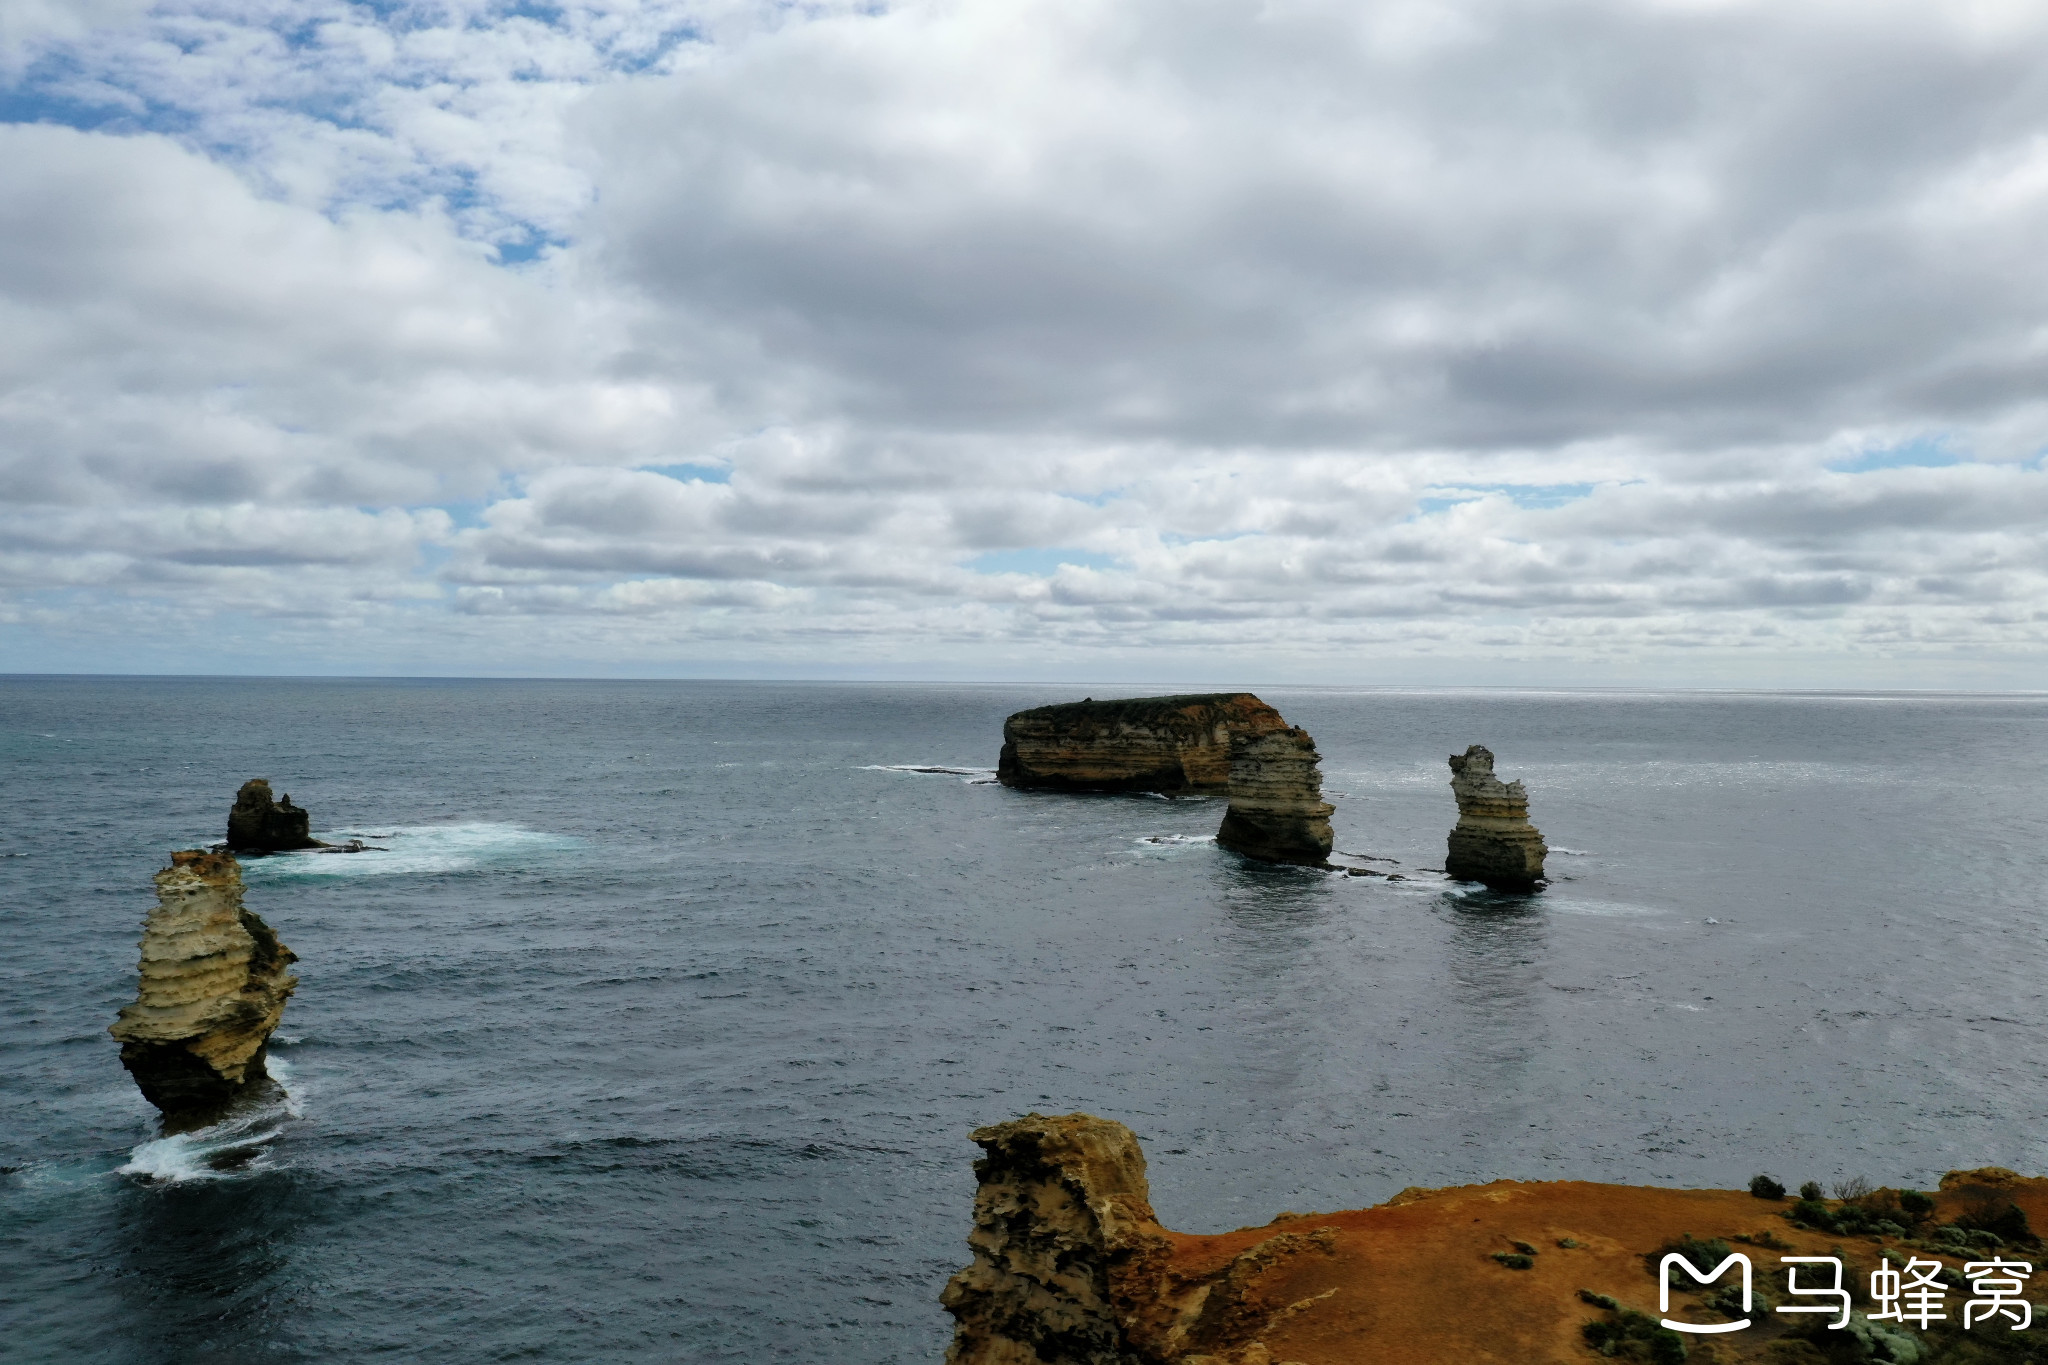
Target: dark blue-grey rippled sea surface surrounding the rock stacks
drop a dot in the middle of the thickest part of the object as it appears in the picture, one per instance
(660, 1028)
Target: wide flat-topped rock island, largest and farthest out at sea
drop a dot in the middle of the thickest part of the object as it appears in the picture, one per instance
(1150, 744)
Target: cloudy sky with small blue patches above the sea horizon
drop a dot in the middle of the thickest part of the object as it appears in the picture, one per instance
(1467, 343)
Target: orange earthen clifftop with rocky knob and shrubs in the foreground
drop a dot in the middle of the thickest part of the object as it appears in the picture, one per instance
(1072, 1268)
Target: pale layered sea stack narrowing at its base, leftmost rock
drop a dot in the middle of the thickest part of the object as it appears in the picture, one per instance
(214, 985)
